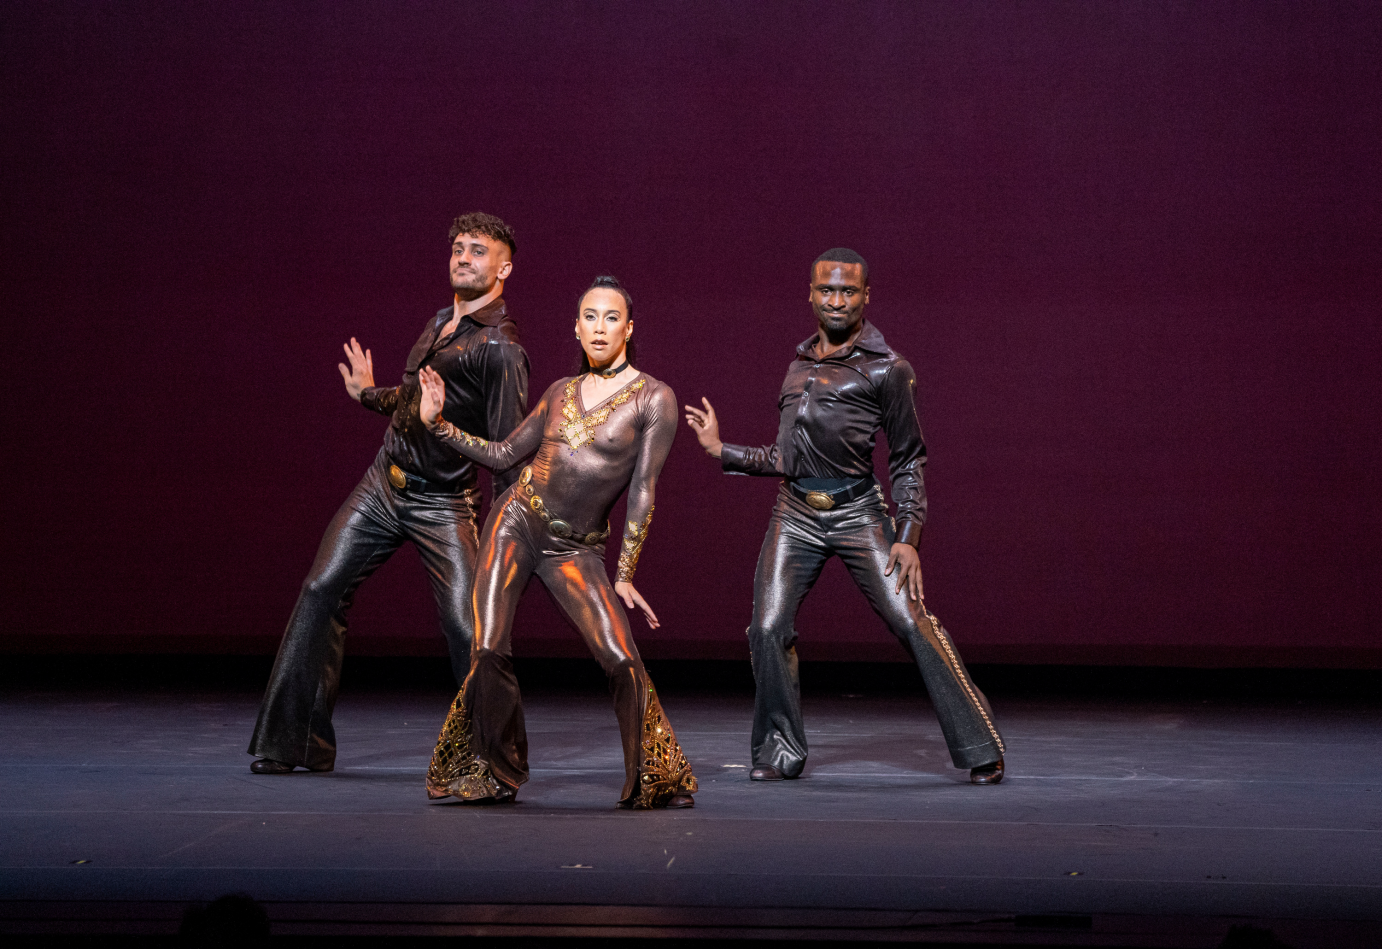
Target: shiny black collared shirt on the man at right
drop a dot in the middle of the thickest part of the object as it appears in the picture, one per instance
(833, 410)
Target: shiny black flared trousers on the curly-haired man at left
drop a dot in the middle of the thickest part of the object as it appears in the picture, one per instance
(295, 722)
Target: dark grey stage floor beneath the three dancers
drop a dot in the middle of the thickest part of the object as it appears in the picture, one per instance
(1115, 809)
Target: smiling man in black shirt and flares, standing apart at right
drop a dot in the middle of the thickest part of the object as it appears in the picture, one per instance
(844, 386)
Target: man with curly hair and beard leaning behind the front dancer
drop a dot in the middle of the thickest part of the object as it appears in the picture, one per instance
(418, 490)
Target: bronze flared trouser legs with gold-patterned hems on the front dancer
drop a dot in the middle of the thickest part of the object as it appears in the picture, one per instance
(483, 748)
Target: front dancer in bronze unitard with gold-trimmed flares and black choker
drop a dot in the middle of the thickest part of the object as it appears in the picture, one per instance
(553, 523)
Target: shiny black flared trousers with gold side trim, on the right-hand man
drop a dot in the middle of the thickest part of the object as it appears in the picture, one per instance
(799, 542)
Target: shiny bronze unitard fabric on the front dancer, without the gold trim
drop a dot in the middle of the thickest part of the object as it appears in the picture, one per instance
(580, 487)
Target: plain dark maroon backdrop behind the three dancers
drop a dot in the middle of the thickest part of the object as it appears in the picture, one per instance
(1131, 249)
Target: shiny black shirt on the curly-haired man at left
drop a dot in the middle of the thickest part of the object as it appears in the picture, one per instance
(487, 393)
